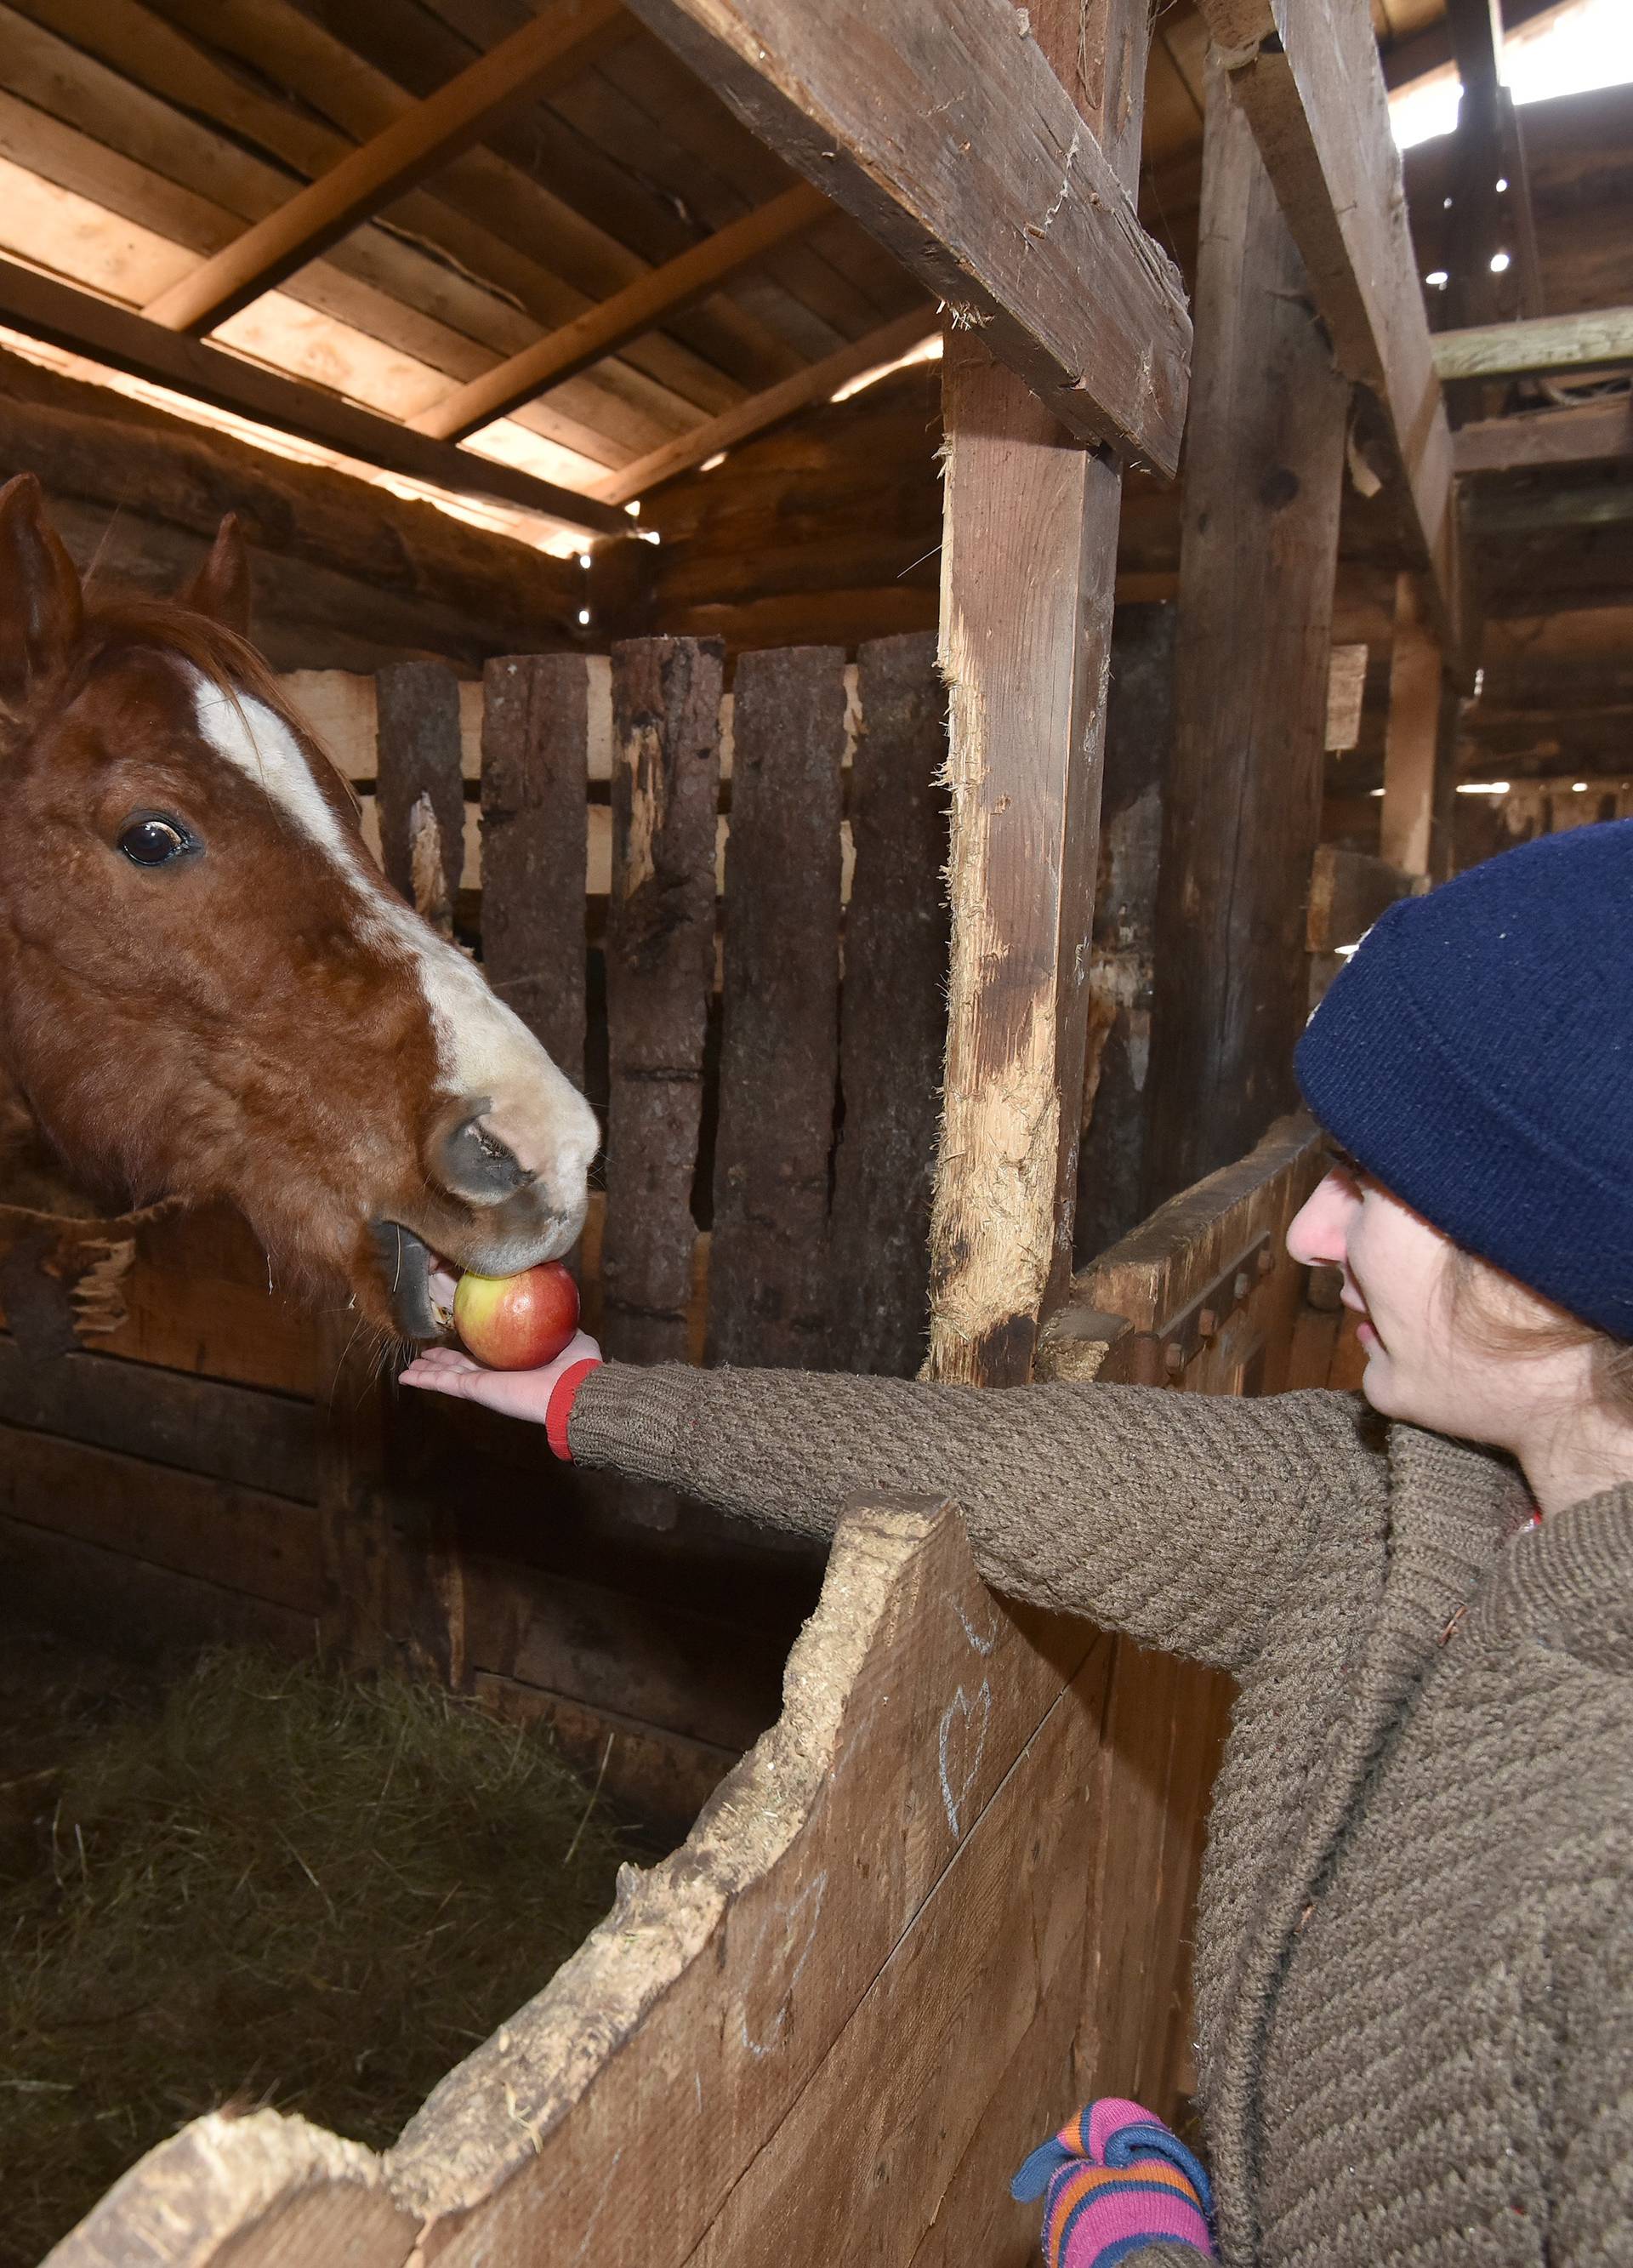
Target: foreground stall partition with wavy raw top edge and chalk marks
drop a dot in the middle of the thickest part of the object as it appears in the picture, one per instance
(829, 2026)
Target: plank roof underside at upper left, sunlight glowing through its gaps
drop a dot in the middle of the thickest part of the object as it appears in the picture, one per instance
(151, 144)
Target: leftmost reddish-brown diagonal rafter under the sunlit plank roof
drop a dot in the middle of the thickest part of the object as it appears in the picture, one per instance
(548, 49)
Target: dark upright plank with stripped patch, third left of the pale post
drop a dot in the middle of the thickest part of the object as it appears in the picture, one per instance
(659, 983)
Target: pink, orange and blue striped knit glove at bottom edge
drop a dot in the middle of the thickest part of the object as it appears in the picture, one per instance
(1117, 2181)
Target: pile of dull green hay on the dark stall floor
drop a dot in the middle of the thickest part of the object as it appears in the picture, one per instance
(271, 1886)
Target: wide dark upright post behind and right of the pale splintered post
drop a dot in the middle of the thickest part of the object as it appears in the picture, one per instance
(1258, 561)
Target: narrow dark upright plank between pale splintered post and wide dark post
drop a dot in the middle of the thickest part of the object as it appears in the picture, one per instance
(1117, 1056)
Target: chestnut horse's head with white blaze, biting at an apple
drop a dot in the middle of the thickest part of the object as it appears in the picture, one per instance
(208, 990)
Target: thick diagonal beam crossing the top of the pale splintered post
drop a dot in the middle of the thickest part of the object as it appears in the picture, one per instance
(942, 126)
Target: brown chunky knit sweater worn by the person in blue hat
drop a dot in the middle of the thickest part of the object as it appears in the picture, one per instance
(1414, 1965)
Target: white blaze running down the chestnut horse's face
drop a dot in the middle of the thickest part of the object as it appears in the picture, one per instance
(484, 1049)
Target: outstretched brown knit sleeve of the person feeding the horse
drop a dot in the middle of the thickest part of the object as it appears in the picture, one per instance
(1178, 1518)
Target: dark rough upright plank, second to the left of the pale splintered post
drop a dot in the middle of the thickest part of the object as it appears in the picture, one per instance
(779, 1010)
